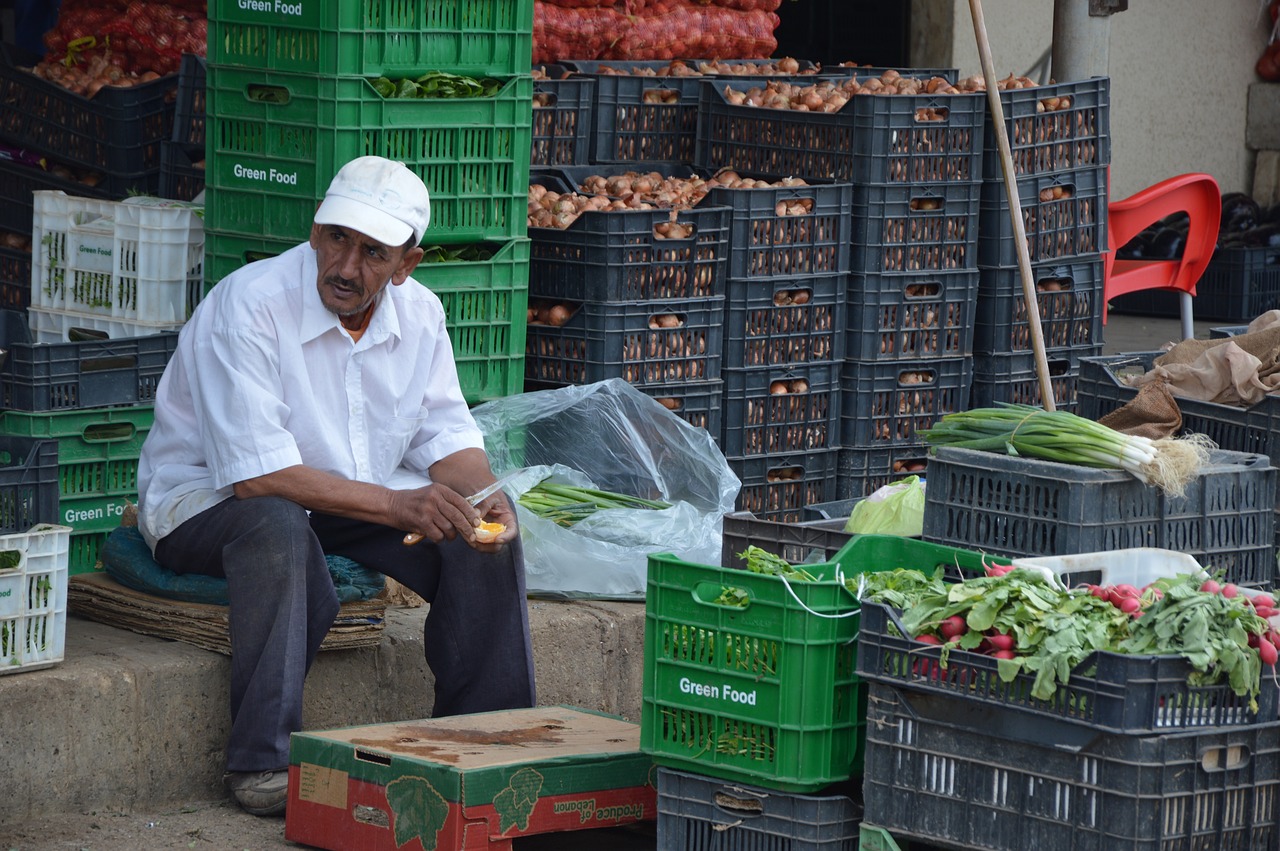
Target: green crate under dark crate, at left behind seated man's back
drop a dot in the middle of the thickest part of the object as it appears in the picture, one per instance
(98, 468)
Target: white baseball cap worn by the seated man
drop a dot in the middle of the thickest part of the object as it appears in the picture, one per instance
(381, 199)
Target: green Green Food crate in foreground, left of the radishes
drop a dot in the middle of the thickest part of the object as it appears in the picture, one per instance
(765, 694)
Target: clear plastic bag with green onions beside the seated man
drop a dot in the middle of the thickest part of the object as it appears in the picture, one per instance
(611, 437)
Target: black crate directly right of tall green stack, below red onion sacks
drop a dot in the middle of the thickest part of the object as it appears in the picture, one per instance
(564, 118)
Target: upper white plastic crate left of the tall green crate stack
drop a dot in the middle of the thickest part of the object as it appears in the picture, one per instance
(139, 260)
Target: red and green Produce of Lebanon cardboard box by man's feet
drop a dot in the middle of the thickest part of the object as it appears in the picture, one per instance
(468, 783)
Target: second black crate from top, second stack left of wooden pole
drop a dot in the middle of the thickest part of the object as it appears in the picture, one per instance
(784, 323)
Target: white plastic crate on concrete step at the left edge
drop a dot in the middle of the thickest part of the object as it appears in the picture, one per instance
(34, 598)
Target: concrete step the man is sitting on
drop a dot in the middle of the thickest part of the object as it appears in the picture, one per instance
(132, 724)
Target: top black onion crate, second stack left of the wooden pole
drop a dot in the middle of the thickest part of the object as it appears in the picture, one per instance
(765, 245)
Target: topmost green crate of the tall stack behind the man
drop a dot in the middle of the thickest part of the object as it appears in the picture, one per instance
(373, 36)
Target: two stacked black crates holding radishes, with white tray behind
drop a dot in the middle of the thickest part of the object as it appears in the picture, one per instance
(1131, 753)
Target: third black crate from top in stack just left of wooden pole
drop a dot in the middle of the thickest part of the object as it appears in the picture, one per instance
(916, 317)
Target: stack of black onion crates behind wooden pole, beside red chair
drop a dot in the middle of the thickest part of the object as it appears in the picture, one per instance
(1060, 141)
